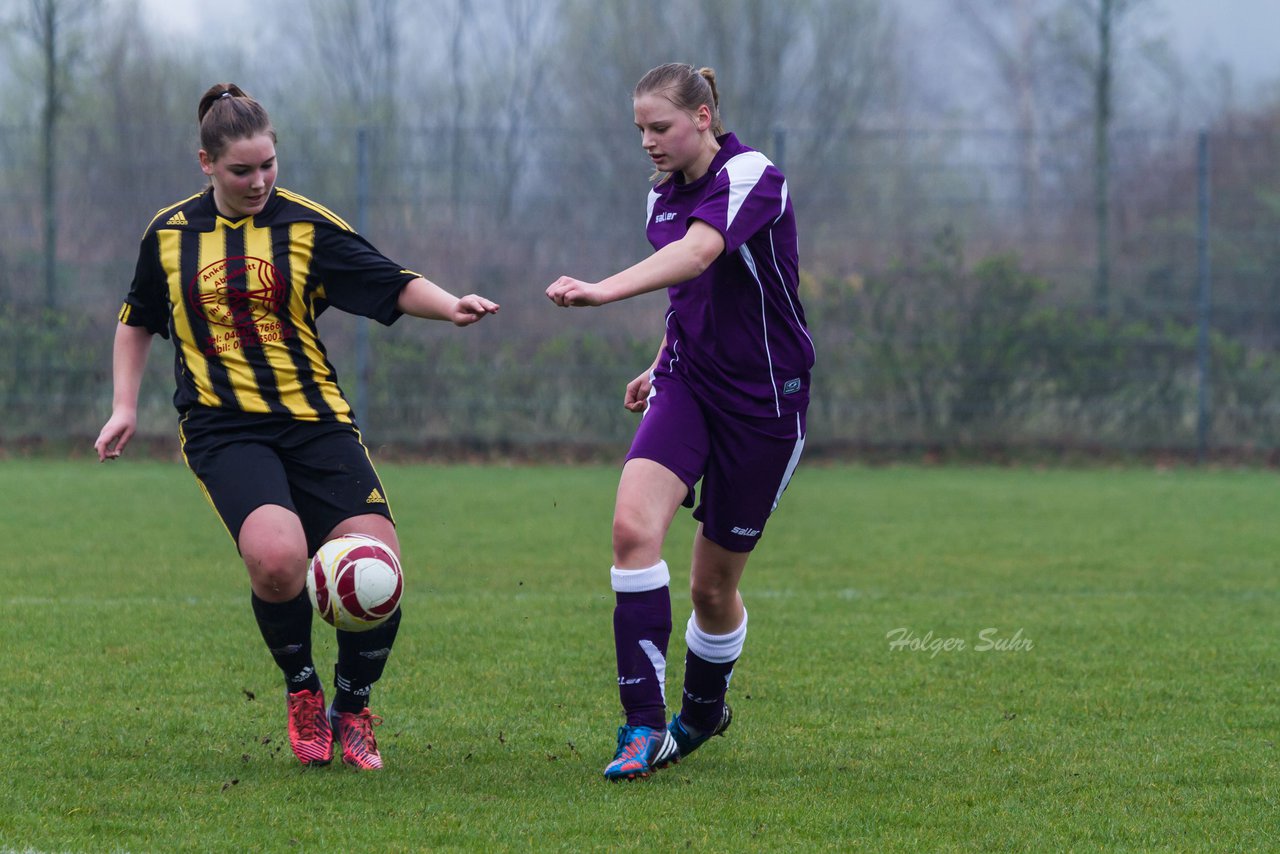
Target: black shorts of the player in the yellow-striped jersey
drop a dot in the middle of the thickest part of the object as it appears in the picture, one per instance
(321, 471)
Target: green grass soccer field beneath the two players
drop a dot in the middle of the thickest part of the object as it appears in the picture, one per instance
(1136, 709)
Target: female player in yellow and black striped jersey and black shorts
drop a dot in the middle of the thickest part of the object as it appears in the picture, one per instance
(236, 276)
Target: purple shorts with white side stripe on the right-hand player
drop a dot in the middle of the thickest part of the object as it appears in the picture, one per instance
(744, 463)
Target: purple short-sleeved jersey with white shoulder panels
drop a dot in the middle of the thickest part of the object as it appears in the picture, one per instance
(738, 334)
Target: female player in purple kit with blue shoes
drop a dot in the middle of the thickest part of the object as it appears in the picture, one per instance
(724, 403)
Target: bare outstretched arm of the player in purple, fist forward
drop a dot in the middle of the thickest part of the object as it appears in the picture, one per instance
(675, 263)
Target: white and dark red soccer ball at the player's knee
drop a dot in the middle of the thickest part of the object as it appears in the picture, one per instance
(355, 582)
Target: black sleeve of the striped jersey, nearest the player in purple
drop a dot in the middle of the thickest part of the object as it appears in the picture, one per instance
(356, 277)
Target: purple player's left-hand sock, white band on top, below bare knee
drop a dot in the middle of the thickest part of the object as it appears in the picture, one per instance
(642, 629)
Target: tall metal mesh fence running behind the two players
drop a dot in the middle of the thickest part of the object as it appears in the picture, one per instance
(953, 285)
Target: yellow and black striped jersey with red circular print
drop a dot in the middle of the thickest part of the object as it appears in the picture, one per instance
(240, 302)
